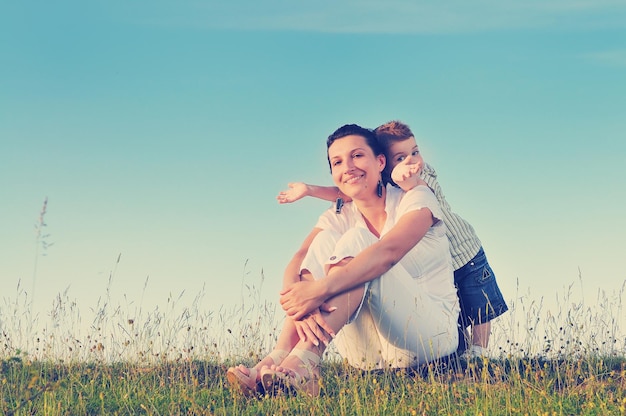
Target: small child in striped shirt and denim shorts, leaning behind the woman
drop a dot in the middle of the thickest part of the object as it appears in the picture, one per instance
(479, 294)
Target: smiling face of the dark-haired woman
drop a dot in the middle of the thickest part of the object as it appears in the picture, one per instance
(354, 167)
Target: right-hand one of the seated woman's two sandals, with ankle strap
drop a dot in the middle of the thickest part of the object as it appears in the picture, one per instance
(290, 382)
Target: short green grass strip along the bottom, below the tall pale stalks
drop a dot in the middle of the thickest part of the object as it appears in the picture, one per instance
(585, 386)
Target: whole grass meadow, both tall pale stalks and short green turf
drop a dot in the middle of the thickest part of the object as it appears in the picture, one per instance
(172, 361)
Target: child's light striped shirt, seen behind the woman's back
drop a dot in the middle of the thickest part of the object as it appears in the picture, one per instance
(464, 243)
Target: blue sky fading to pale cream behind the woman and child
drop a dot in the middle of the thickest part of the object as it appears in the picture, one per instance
(162, 132)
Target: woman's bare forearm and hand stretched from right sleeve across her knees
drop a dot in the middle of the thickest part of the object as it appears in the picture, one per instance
(299, 299)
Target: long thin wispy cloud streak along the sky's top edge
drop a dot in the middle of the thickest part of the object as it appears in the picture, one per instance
(392, 16)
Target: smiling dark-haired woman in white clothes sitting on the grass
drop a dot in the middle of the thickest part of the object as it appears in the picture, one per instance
(377, 273)
